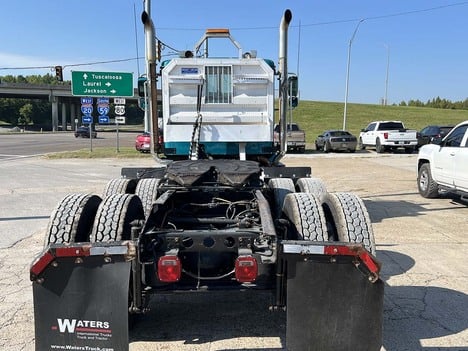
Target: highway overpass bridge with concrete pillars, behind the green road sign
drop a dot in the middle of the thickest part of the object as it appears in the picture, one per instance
(64, 104)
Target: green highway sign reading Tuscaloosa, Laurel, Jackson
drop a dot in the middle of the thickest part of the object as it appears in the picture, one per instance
(102, 84)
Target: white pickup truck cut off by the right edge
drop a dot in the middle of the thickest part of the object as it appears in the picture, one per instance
(443, 164)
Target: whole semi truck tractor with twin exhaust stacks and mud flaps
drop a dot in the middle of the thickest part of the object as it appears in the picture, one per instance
(219, 210)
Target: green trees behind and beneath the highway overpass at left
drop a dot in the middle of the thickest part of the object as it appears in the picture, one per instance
(37, 113)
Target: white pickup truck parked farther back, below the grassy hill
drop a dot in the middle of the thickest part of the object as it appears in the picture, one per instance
(388, 135)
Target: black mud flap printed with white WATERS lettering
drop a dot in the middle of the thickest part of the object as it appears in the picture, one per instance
(81, 299)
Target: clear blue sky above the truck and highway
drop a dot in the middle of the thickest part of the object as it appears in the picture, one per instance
(424, 42)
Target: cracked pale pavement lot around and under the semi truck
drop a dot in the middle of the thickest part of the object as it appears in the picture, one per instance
(422, 244)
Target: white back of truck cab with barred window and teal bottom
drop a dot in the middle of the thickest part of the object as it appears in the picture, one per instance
(234, 100)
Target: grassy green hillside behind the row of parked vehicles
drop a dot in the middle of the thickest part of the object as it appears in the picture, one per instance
(315, 117)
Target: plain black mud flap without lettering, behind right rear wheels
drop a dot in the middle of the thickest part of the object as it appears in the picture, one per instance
(333, 301)
